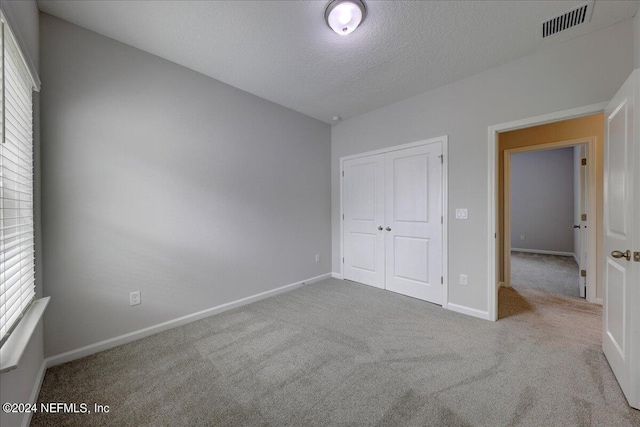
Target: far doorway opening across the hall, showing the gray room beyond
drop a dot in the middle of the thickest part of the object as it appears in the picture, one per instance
(546, 204)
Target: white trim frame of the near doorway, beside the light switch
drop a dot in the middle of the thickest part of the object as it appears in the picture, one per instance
(492, 187)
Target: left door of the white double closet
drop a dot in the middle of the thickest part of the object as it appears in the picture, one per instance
(363, 208)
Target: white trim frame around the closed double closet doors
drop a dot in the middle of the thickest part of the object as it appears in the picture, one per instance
(443, 140)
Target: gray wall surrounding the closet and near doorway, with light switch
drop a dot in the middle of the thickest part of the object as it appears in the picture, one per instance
(580, 72)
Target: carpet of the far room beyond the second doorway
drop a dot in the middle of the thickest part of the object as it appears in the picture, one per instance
(551, 273)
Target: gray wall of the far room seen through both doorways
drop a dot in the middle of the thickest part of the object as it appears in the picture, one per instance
(542, 200)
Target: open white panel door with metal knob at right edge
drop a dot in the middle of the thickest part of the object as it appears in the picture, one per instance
(621, 270)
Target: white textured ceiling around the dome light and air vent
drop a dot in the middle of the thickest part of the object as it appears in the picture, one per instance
(284, 52)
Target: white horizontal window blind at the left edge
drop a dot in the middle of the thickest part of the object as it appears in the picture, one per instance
(17, 270)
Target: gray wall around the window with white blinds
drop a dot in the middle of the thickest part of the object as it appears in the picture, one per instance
(17, 385)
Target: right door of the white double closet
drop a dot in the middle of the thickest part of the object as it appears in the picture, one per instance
(413, 223)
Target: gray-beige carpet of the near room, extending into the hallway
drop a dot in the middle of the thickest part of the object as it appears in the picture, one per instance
(340, 353)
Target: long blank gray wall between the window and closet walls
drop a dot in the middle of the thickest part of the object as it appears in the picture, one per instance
(160, 179)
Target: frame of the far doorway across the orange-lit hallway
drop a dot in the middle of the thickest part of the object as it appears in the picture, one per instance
(590, 142)
